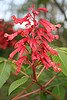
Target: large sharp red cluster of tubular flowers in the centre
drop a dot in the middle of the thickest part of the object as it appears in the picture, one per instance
(37, 34)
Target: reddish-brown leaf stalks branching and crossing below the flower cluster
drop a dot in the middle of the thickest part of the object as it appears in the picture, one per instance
(17, 97)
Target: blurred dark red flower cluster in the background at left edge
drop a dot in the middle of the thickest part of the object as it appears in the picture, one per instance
(6, 27)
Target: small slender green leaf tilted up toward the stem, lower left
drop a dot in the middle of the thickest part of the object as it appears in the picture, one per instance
(17, 83)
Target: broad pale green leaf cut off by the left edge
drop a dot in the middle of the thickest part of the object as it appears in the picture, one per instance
(4, 73)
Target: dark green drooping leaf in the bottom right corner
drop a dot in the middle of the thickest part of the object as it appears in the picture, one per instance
(59, 92)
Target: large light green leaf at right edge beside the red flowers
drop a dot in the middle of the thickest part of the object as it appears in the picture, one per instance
(62, 58)
